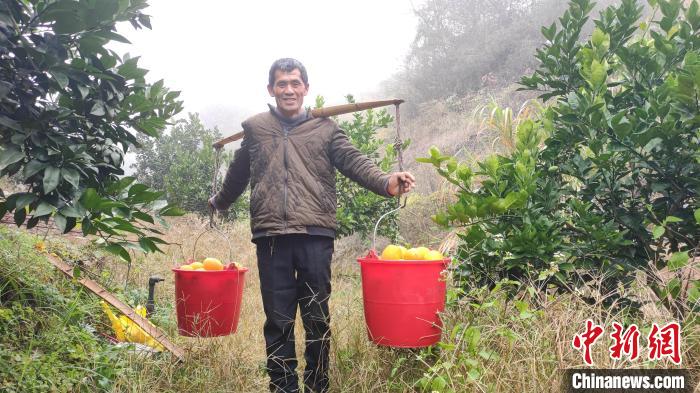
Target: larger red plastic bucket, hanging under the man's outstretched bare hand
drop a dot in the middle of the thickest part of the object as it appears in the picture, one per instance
(402, 300)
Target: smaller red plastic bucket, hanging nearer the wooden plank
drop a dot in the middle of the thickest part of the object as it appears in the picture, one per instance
(208, 303)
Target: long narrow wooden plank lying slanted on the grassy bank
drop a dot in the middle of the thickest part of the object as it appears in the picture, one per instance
(124, 308)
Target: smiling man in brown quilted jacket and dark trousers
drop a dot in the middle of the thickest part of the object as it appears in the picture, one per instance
(290, 160)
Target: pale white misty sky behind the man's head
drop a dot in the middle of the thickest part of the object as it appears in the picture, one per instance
(218, 52)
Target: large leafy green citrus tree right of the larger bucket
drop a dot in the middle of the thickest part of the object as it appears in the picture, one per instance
(605, 184)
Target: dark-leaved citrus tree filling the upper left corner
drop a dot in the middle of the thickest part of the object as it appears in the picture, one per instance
(70, 108)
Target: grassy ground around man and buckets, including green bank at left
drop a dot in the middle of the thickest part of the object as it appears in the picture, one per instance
(515, 346)
